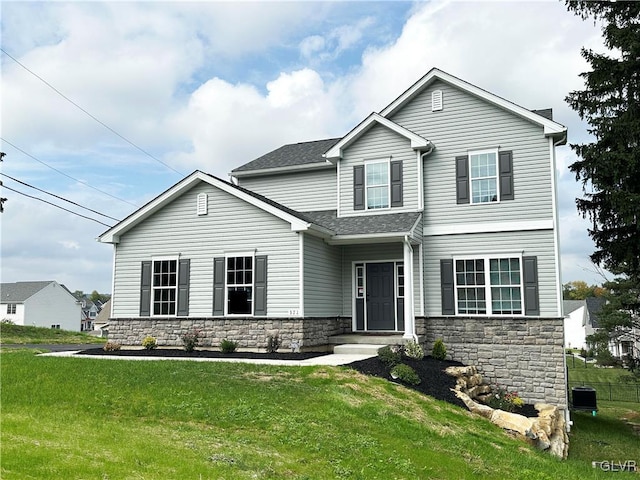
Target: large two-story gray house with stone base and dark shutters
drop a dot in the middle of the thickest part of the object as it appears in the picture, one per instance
(434, 218)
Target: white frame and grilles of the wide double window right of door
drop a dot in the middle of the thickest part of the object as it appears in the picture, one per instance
(487, 284)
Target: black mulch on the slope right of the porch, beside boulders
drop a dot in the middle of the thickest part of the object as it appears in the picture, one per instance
(435, 382)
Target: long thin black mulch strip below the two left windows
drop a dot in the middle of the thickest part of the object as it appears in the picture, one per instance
(176, 352)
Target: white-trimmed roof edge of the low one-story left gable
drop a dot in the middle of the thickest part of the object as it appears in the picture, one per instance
(297, 220)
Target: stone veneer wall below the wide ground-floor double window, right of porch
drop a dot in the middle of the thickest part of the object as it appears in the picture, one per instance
(522, 354)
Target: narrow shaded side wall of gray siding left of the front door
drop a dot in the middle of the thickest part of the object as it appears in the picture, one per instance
(322, 278)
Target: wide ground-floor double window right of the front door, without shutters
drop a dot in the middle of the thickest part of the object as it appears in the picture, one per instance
(490, 286)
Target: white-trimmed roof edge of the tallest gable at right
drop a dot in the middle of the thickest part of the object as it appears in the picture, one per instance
(551, 128)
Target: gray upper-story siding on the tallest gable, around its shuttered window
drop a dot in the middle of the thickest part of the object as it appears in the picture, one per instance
(469, 123)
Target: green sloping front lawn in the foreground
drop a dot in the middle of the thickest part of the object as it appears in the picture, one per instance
(114, 419)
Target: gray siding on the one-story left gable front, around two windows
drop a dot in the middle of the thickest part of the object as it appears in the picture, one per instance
(232, 226)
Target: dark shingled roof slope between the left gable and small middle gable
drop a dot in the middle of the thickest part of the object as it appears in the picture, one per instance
(303, 155)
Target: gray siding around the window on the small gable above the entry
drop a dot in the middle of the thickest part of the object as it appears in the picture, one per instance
(379, 143)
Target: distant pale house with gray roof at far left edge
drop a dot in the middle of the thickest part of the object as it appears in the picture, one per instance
(40, 304)
